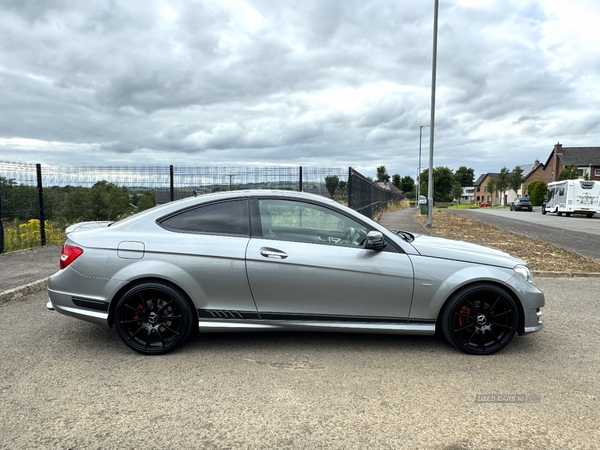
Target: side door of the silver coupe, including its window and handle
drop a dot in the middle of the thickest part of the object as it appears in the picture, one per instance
(309, 263)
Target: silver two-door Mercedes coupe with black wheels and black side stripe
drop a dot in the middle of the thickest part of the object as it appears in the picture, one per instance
(270, 260)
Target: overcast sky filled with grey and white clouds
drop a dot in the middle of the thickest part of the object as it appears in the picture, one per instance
(323, 83)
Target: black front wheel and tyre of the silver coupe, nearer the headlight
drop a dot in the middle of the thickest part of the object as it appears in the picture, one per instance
(480, 319)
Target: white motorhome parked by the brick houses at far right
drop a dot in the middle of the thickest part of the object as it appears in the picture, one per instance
(572, 197)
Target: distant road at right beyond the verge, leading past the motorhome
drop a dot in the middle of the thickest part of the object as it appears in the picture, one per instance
(577, 233)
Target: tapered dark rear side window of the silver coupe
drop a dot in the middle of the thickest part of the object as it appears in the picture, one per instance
(222, 218)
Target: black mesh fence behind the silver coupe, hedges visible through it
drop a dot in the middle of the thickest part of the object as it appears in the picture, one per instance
(41, 196)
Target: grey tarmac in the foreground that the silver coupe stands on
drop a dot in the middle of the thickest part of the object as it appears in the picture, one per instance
(70, 384)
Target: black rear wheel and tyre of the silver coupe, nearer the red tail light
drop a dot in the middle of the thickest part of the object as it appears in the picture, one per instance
(153, 318)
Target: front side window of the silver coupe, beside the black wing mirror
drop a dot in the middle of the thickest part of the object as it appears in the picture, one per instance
(306, 222)
